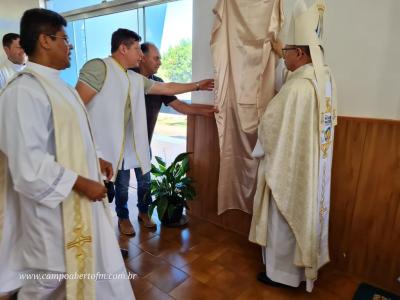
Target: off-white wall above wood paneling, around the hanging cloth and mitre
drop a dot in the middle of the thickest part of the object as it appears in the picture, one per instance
(362, 46)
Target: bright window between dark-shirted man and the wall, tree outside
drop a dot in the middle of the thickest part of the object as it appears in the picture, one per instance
(173, 37)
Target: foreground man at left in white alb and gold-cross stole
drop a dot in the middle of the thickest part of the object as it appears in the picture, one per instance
(55, 221)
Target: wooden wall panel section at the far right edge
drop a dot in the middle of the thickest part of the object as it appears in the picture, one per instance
(373, 247)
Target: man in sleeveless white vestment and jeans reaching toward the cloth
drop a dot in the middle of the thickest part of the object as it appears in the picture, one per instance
(114, 96)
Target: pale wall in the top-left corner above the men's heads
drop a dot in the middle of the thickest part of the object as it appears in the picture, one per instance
(10, 14)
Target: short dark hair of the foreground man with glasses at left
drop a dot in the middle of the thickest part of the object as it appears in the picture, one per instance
(38, 21)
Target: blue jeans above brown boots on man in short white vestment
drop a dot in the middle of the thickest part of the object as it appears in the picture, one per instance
(121, 192)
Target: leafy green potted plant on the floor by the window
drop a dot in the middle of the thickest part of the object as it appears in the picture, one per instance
(171, 188)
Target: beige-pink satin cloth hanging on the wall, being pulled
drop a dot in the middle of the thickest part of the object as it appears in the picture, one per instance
(245, 74)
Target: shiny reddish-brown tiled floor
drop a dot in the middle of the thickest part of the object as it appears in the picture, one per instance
(204, 261)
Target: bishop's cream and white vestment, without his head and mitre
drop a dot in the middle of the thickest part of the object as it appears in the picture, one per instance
(291, 205)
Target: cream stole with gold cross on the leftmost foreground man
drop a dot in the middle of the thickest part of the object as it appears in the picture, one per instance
(76, 209)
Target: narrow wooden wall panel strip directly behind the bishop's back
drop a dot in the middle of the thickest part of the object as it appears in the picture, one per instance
(347, 158)
